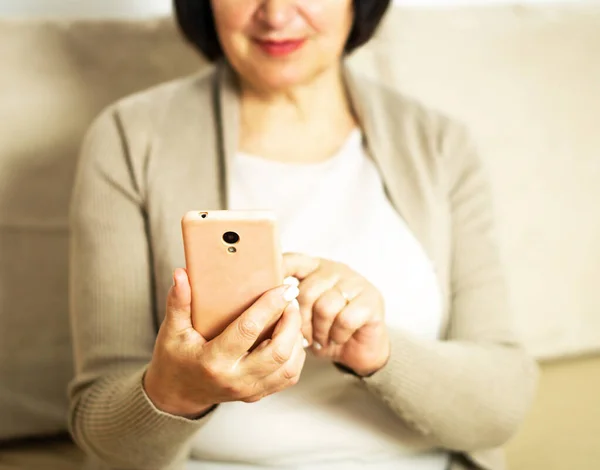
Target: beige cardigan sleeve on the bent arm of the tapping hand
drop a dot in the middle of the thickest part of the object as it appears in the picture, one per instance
(472, 391)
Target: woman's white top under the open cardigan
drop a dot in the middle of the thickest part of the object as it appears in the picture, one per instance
(337, 210)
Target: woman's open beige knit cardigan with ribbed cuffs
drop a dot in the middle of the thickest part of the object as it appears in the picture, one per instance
(151, 157)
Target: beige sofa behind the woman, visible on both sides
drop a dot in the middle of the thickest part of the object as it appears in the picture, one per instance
(525, 79)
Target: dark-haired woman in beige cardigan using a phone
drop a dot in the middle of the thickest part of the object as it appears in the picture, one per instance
(410, 362)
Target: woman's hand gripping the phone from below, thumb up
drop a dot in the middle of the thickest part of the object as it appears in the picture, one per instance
(188, 375)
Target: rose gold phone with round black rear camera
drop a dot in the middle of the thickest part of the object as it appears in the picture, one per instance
(232, 258)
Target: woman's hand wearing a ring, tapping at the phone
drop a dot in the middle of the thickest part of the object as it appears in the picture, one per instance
(343, 313)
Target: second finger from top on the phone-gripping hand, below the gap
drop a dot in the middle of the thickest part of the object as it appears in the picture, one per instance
(279, 350)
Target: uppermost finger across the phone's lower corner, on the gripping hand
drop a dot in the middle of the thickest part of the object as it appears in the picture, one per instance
(239, 337)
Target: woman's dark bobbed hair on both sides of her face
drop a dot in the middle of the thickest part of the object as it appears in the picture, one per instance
(196, 21)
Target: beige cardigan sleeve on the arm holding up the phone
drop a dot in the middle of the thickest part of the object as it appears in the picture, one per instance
(112, 313)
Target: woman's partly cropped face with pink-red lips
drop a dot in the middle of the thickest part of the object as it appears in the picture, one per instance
(276, 44)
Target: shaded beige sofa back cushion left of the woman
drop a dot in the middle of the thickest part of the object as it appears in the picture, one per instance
(55, 77)
